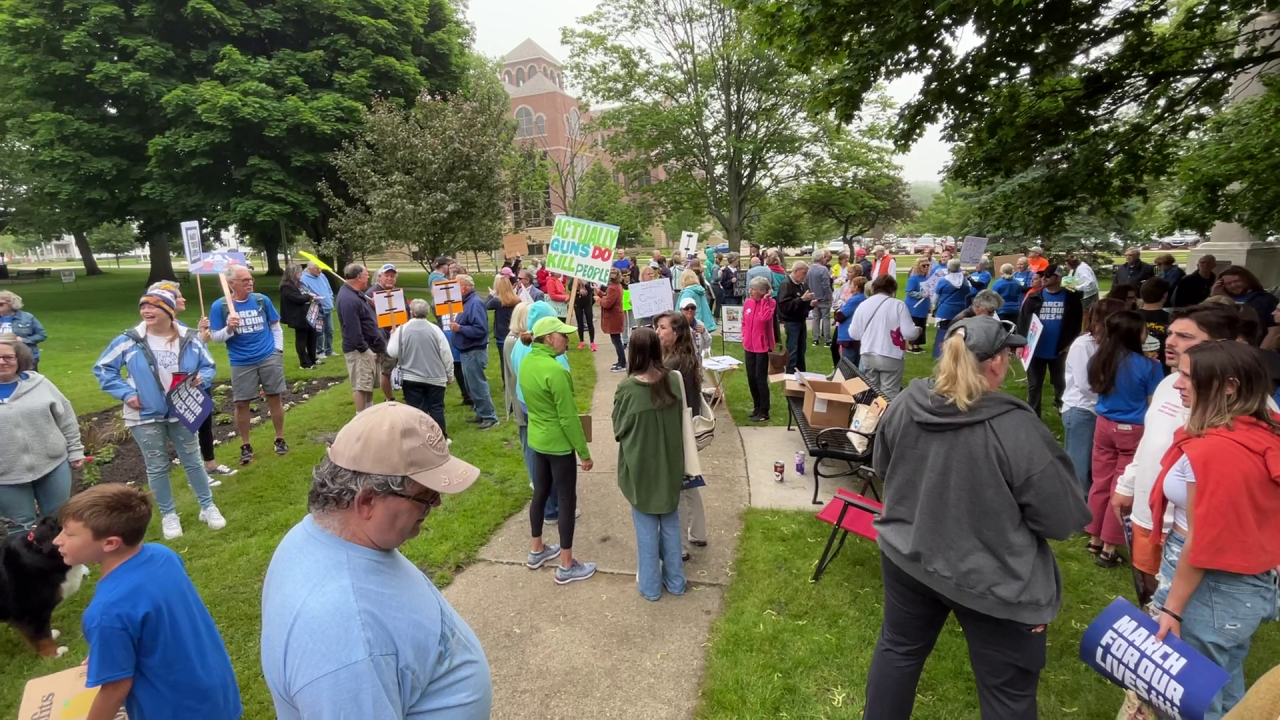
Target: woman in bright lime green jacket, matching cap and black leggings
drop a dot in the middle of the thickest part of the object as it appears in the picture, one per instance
(556, 435)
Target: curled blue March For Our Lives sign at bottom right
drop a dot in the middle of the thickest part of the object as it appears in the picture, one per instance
(1171, 676)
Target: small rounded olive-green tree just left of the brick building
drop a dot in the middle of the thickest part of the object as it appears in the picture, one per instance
(432, 179)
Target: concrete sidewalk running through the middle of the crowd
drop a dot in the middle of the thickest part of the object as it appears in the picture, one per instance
(597, 649)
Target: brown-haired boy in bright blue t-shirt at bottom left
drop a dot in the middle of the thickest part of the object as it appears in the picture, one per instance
(153, 646)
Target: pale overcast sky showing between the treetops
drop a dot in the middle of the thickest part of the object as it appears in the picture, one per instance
(502, 25)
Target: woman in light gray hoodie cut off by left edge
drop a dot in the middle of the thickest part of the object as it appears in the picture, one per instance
(40, 443)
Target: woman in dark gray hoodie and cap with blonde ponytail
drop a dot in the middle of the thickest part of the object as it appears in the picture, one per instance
(975, 487)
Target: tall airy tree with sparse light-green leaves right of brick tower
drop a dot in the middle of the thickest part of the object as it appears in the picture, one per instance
(691, 90)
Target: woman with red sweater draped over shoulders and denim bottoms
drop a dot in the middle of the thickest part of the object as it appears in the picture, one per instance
(1218, 577)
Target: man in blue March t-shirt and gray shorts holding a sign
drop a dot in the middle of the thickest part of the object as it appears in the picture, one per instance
(255, 348)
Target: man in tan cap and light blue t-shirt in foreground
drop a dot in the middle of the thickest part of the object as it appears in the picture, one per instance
(351, 628)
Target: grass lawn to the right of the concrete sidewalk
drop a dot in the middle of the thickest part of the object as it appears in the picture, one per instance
(787, 648)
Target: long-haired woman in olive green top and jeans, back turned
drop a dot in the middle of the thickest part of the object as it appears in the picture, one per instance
(647, 423)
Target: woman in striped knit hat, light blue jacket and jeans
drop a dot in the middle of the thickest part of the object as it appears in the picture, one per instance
(159, 356)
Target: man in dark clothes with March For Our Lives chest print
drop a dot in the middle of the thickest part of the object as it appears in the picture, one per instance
(1062, 315)
